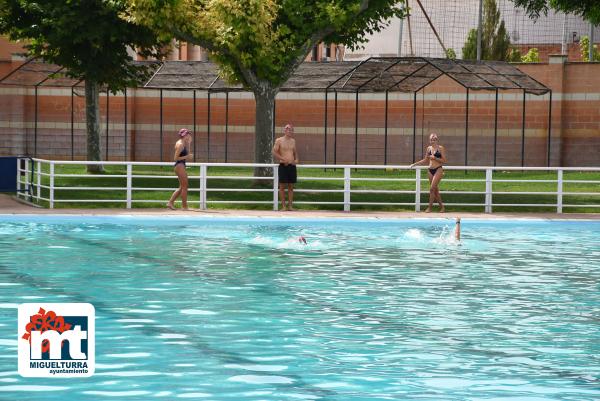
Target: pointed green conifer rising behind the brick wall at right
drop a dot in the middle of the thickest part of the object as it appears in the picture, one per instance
(495, 42)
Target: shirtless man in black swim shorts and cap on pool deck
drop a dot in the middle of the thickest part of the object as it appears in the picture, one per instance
(285, 153)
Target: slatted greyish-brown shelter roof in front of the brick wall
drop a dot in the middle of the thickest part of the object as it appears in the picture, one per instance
(376, 74)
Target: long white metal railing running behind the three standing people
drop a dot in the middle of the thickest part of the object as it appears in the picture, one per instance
(34, 173)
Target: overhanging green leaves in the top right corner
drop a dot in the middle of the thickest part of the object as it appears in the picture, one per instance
(588, 9)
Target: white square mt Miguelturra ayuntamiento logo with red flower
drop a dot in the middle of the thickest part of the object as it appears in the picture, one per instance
(56, 340)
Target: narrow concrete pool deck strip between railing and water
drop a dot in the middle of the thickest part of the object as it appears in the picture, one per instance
(9, 205)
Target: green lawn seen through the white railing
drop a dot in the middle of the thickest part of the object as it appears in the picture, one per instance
(453, 191)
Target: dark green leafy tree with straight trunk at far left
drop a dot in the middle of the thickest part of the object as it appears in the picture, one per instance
(90, 39)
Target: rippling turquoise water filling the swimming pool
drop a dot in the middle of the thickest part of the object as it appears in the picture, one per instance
(238, 309)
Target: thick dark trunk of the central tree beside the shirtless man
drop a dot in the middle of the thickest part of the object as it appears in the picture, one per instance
(263, 137)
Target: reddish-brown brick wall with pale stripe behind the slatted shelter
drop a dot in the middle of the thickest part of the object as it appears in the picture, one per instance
(441, 107)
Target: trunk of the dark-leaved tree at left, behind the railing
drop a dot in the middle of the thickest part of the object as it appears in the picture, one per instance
(92, 121)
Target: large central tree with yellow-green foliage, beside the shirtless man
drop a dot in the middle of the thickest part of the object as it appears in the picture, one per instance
(260, 43)
